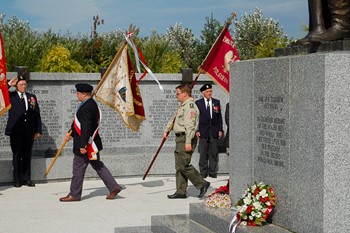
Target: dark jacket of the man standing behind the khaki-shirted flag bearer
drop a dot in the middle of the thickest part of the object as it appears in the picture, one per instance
(209, 126)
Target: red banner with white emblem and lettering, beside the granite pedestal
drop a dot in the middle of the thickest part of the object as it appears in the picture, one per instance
(221, 54)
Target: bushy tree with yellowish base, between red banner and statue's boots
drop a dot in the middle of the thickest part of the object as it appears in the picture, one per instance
(256, 36)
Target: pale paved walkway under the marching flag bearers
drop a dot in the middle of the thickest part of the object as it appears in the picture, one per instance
(38, 210)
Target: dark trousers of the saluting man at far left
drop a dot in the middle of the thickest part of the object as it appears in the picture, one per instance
(21, 146)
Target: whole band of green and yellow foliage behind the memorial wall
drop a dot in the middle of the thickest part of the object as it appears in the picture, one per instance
(255, 37)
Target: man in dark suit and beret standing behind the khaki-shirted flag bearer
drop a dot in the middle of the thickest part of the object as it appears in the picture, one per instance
(210, 130)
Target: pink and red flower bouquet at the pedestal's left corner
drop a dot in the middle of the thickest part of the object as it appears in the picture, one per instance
(220, 198)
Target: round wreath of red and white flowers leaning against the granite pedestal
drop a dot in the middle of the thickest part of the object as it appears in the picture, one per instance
(256, 204)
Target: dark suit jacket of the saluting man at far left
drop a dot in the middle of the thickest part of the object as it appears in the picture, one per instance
(19, 119)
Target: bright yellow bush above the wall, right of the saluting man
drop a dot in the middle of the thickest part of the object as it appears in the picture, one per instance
(58, 59)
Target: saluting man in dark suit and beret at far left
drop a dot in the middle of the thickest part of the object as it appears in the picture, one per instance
(23, 127)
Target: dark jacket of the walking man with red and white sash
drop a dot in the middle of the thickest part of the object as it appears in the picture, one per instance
(88, 116)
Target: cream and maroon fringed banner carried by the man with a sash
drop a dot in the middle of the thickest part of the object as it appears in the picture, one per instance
(119, 90)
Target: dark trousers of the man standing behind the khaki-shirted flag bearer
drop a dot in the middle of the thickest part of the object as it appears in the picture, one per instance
(209, 159)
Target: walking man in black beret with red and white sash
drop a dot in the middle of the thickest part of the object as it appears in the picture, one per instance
(86, 146)
